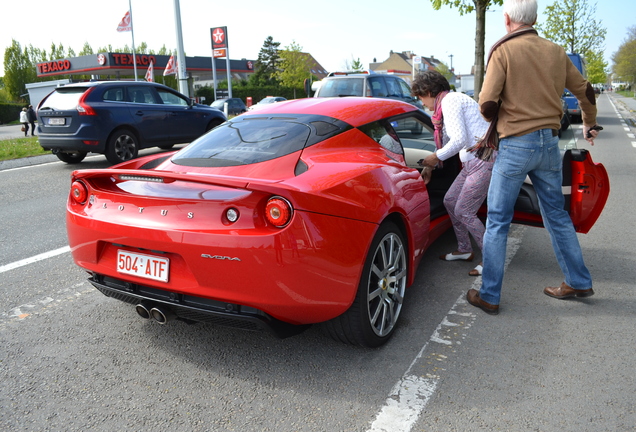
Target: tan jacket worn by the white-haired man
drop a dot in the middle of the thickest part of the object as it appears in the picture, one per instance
(528, 74)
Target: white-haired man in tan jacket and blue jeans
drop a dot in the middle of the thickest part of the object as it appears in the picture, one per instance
(526, 76)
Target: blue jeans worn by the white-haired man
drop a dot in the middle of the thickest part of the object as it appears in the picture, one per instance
(537, 155)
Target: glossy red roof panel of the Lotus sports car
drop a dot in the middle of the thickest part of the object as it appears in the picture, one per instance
(355, 111)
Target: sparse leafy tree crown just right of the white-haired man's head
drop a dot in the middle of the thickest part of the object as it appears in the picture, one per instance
(571, 24)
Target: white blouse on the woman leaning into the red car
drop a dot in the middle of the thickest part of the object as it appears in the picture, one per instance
(463, 126)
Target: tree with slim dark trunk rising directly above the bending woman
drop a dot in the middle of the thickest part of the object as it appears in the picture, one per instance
(480, 7)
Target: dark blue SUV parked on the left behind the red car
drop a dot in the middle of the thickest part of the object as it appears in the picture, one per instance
(119, 118)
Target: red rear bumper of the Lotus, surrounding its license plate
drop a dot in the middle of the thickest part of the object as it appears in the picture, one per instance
(293, 275)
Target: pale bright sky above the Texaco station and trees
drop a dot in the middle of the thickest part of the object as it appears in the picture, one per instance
(334, 32)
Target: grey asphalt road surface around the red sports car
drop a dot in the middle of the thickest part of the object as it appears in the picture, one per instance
(72, 359)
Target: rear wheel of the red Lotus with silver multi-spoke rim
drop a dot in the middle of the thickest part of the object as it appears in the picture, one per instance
(371, 319)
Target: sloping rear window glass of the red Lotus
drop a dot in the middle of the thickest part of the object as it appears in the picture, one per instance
(245, 142)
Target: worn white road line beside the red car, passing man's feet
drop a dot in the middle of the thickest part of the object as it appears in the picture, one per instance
(414, 390)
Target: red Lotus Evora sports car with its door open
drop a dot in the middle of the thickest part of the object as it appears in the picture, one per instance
(308, 211)
